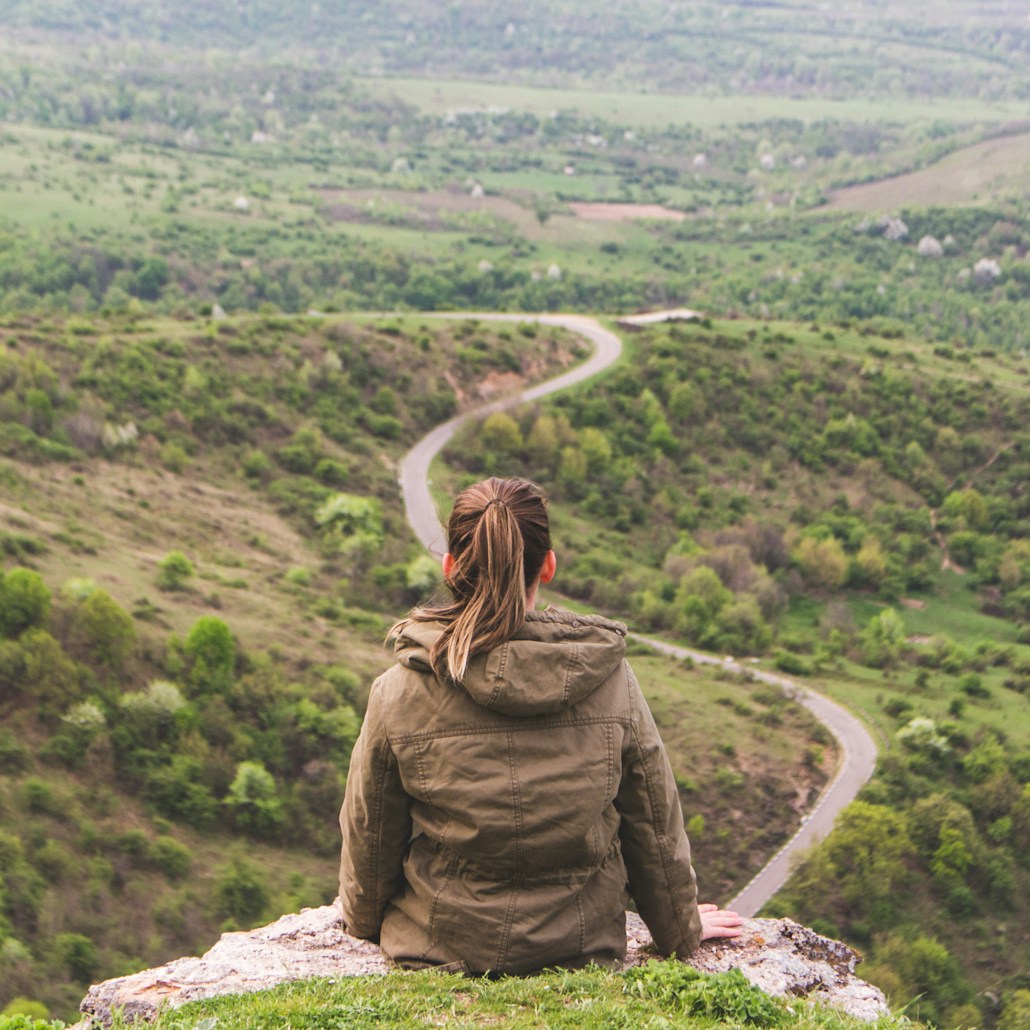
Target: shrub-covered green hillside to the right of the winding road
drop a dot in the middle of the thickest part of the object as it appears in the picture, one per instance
(852, 509)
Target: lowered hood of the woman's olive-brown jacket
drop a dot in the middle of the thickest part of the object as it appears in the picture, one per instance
(555, 661)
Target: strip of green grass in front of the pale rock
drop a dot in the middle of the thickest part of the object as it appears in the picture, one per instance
(661, 994)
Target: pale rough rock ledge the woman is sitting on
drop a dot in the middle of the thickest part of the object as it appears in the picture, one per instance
(777, 955)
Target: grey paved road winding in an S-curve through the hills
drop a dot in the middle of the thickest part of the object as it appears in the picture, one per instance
(859, 751)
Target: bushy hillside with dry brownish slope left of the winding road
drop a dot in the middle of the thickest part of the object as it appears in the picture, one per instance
(203, 545)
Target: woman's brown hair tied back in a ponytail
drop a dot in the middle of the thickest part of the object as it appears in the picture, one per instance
(499, 538)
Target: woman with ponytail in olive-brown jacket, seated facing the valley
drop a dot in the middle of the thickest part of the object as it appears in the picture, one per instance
(509, 792)
